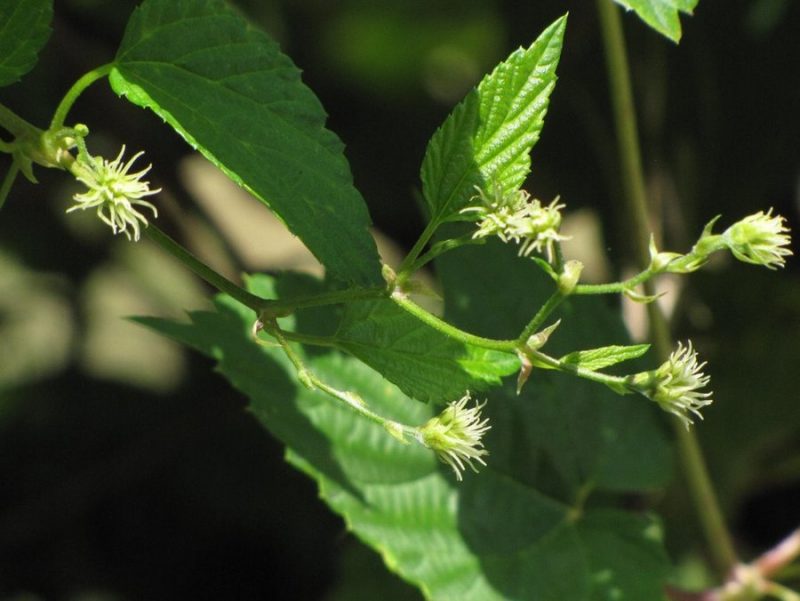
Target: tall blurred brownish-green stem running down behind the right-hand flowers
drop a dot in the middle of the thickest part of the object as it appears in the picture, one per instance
(694, 468)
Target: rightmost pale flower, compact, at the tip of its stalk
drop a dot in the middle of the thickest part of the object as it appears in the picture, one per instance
(761, 239)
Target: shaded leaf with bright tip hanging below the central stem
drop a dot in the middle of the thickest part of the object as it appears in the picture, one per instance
(421, 361)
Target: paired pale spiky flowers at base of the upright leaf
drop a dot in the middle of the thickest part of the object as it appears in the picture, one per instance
(514, 216)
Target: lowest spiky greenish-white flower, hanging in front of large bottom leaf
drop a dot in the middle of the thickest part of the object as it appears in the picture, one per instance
(455, 435)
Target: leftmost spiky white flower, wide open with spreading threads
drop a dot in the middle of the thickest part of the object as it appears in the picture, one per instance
(114, 192)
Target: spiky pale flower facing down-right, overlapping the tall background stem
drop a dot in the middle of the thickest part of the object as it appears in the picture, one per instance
(676, 385)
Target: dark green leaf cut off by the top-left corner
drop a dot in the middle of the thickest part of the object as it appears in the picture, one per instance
(24, 29)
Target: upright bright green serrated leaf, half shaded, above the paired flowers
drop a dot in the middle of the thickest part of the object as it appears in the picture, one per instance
(489, 135)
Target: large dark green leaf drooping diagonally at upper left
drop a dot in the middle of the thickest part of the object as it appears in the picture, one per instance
(226, 87)
